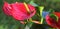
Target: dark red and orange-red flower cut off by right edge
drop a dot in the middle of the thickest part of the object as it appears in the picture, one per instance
(53, 23)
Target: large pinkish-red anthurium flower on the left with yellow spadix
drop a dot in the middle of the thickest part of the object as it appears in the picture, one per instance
(19, 11)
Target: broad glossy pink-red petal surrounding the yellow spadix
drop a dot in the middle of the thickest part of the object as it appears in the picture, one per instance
(19, 11)
